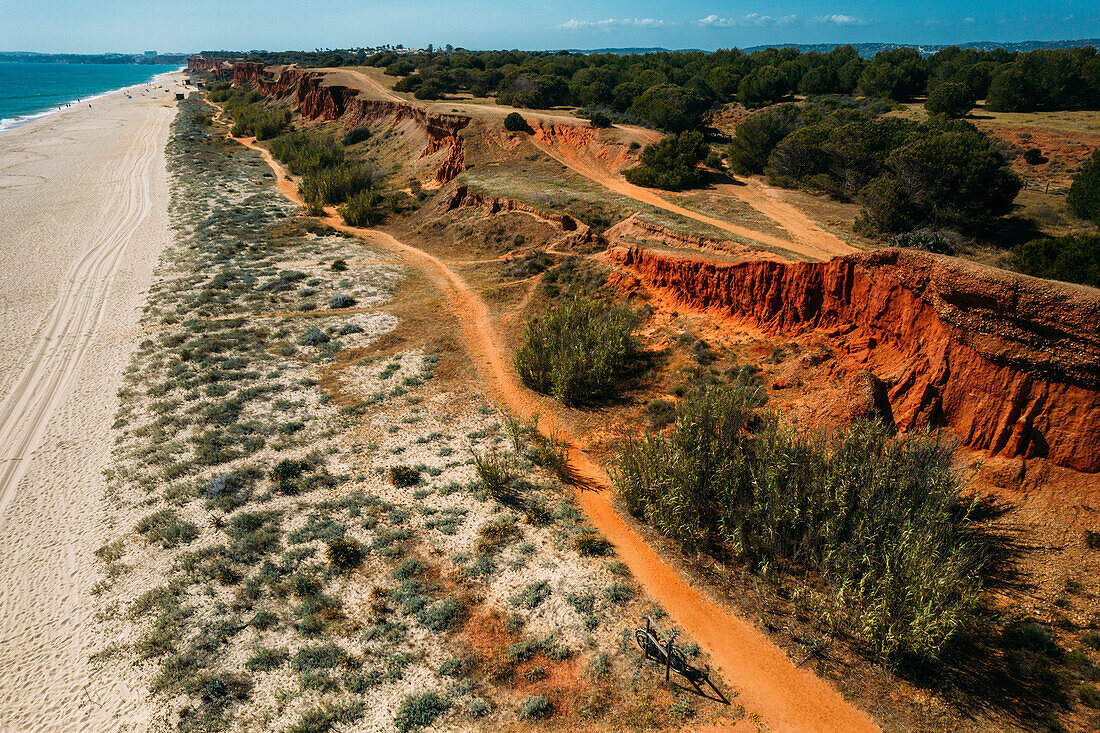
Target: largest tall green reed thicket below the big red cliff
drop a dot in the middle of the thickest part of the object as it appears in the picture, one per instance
(881, 519)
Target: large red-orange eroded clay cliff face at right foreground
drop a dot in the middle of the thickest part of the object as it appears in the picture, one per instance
(1008, 365)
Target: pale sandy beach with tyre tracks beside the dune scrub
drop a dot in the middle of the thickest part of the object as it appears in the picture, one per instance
(84, 202)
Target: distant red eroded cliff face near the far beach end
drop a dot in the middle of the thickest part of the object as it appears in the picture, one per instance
(314, 100)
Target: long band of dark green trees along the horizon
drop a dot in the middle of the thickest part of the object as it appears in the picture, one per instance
(673, 90)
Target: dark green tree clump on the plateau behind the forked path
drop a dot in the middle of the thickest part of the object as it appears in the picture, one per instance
(907, 174)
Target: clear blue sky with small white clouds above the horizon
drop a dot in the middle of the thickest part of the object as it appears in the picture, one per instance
(128, 26)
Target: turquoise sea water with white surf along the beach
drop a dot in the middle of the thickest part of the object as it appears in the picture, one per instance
(30, 90)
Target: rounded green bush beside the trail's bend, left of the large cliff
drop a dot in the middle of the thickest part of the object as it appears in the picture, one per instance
(578, 351)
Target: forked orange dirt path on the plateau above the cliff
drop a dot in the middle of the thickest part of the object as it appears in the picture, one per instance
(808, 238)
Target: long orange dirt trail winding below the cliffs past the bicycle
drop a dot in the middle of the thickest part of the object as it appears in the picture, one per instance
(787, 698)
